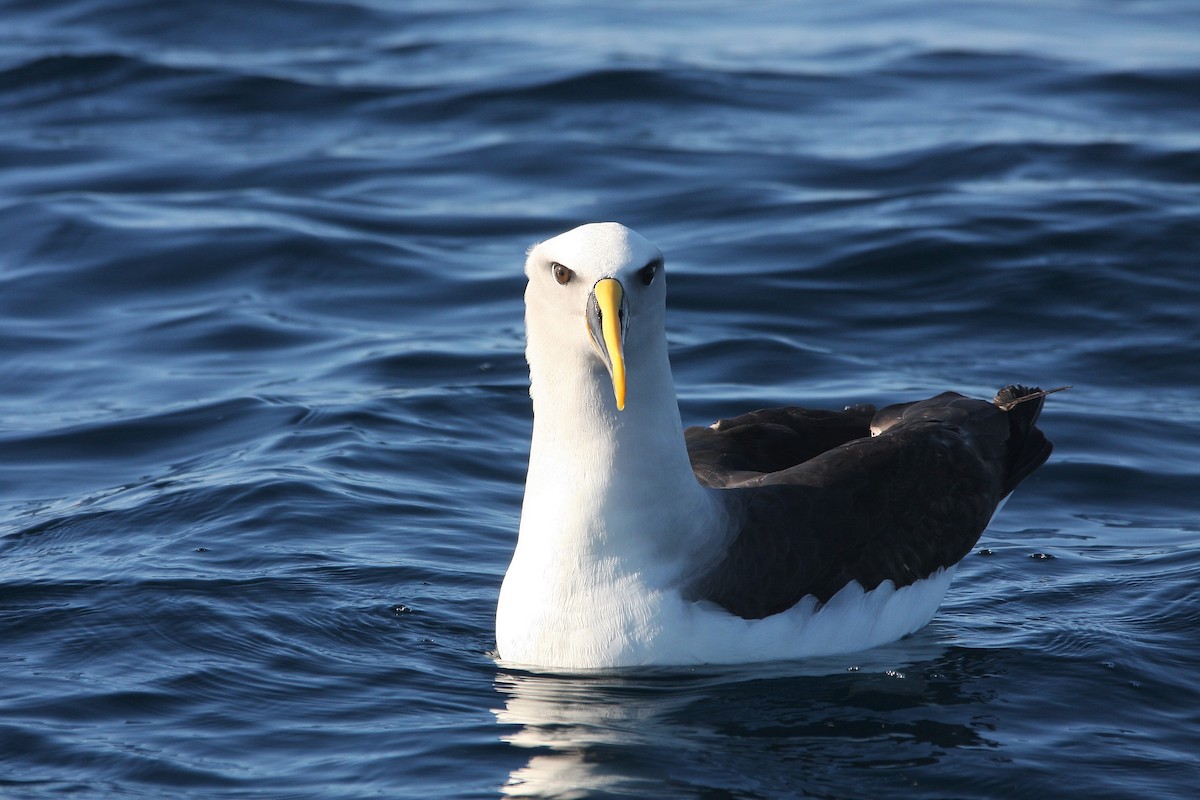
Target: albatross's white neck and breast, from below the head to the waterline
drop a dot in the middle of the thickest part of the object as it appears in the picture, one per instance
(614, 516)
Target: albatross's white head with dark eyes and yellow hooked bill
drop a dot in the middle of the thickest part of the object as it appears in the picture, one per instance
(596, 294)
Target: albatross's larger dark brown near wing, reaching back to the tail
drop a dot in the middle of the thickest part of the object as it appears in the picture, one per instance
(896, 507)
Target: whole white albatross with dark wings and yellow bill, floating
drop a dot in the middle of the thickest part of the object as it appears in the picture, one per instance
(781, 534)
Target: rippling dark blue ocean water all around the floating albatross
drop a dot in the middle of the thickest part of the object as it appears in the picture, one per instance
(265, 411)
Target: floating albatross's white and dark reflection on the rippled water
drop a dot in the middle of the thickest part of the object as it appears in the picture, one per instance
(736, 730)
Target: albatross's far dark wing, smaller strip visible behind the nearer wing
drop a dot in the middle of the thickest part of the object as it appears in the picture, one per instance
(771, 441)
